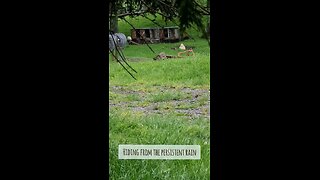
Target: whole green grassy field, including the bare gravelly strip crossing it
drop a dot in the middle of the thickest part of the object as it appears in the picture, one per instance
(167, 104)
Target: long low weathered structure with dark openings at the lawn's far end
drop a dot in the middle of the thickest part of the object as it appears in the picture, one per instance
(156, 35)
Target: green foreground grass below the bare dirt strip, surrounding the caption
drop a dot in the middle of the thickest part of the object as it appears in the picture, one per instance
(130, 128)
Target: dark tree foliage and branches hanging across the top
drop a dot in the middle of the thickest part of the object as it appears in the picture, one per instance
(187, 12)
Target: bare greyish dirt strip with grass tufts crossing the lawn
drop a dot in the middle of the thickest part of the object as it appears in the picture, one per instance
(198, 105)
